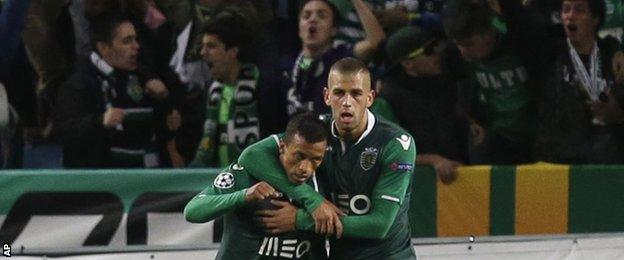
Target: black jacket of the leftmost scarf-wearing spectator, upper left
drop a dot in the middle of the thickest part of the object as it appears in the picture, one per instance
(79, 116)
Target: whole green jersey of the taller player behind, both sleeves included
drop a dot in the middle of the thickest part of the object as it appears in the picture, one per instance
(369, 181)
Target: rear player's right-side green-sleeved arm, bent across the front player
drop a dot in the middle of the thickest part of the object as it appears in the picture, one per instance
(387, 197)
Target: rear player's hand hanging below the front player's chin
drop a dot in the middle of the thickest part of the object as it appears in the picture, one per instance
(326, 219)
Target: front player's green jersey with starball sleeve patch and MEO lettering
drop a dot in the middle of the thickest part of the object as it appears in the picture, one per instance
(242, 237)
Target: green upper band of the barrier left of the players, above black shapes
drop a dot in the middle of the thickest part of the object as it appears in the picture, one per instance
(126, 184)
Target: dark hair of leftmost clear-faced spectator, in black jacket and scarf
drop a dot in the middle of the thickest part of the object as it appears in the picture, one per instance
(103, 26)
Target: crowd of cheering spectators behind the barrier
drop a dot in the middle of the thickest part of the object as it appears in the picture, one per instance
(164, 83)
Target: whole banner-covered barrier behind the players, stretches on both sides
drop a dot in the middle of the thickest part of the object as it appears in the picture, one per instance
(57, 210)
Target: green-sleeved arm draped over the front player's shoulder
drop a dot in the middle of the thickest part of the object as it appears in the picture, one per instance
(261, 161)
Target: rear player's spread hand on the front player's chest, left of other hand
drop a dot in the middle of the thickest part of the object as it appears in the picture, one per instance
(279, 220)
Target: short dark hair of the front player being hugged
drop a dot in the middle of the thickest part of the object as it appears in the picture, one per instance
(307, 126)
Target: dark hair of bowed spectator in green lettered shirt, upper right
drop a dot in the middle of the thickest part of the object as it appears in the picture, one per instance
(466, 18)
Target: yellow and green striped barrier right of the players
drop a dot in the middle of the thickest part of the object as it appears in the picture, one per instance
(519, 200)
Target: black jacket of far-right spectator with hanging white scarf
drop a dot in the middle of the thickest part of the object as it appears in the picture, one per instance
(566, 133)
